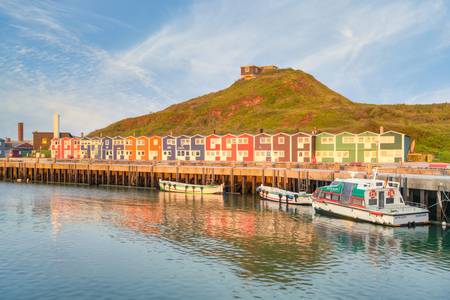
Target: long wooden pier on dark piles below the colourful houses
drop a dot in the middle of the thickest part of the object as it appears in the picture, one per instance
(427, 186)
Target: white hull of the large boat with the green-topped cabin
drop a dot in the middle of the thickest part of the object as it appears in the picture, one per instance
(365, 215)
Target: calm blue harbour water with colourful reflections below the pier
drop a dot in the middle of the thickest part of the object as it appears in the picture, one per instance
(63, 242)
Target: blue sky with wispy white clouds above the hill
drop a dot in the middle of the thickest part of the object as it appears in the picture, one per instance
(96, 62)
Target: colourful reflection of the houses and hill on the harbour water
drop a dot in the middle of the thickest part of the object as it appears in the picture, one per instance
(261, 239)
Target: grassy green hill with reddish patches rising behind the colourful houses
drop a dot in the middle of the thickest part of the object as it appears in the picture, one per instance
(289, 100)
